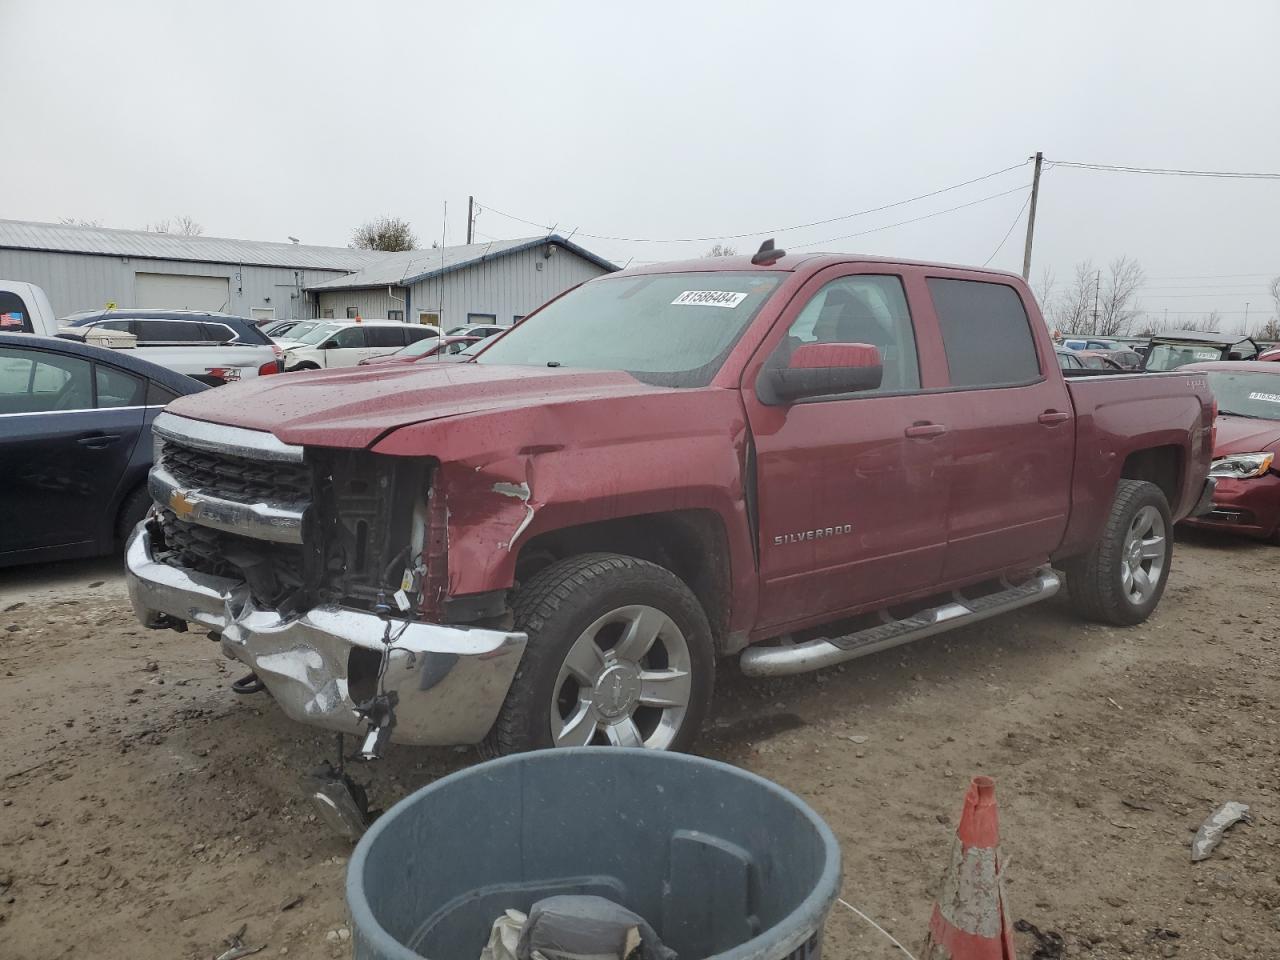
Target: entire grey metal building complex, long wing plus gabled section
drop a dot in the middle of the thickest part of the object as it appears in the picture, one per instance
(92, 268)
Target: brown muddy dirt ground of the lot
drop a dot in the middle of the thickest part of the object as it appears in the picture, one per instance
(148, 812)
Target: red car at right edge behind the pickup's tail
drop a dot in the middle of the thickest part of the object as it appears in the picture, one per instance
(1247, 496)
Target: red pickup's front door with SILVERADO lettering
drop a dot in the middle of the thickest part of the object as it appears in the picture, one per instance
(852, 490)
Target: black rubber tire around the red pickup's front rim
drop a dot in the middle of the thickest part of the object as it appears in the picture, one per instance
(555, 609)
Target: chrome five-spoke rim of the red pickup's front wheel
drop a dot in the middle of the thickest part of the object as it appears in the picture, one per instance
(625, 683)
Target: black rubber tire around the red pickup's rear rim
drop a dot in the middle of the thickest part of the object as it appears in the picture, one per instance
(1096, 580)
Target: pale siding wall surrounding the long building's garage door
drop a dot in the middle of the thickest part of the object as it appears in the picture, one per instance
(79, 282)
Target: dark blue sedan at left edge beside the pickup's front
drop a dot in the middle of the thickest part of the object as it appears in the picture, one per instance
(76, 445)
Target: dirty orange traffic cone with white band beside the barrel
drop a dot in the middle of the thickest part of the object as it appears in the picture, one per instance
(970, 921)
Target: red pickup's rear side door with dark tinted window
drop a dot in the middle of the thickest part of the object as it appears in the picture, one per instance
(1012, 427)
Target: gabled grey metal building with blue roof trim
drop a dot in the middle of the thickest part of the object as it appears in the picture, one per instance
(478, 284)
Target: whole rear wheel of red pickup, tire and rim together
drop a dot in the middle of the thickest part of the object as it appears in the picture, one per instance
(1123, 578)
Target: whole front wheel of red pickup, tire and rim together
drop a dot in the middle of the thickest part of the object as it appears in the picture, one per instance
(620, 655)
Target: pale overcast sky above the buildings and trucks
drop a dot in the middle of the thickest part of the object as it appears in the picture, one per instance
(271, 120)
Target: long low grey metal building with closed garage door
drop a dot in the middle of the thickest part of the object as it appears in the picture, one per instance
(90, 268)
